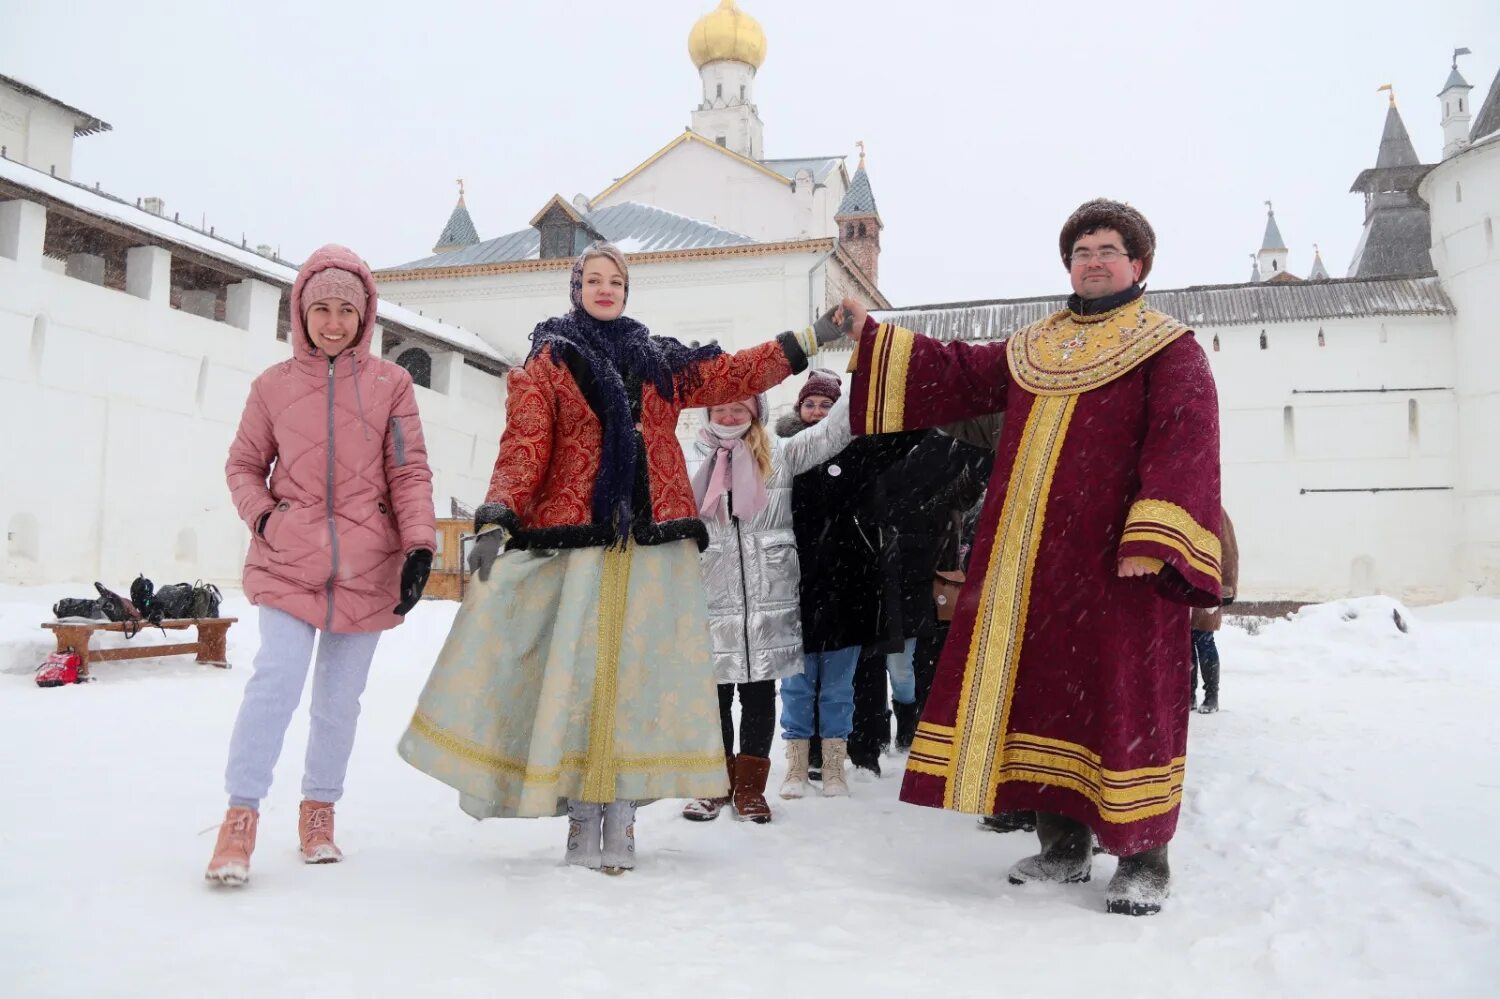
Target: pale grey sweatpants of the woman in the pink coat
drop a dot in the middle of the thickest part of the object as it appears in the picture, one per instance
(272, 697)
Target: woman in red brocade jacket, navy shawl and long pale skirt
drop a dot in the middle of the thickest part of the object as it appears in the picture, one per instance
(578, 677)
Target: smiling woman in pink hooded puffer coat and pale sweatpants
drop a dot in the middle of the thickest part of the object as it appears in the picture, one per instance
(341, 544)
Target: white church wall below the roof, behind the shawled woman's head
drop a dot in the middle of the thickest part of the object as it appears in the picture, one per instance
(736, 301)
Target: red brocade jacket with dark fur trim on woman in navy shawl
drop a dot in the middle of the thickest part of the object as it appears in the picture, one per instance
(544, 484)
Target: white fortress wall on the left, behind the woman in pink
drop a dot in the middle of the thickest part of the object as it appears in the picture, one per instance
(119, 412)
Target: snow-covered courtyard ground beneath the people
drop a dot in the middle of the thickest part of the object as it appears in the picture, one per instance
(1339, 839)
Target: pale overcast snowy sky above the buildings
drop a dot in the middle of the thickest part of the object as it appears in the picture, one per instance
(986, 124)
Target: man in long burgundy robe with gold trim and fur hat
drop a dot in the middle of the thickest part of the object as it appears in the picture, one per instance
(1063, 688)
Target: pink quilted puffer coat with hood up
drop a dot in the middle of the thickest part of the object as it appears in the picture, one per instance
(350, 490)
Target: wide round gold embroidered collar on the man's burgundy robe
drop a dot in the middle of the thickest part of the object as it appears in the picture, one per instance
(1066, 355)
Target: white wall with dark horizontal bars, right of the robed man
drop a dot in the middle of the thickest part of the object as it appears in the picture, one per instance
(1300, 419)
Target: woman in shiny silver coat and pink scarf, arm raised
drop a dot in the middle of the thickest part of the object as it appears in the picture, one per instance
(743, 485)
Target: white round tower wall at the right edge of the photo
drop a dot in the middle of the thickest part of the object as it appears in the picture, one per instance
(1465, 199)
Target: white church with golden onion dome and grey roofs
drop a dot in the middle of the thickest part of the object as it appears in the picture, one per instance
(724, 242)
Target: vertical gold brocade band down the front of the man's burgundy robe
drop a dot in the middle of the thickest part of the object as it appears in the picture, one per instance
(995, 649)
